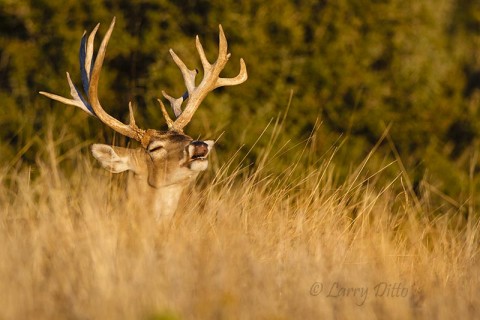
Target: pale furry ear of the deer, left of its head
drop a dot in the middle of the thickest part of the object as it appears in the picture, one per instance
(110, 159)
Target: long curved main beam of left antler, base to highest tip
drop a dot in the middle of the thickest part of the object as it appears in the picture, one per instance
(131, 131)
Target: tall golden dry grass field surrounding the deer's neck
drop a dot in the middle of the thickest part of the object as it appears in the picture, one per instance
(246, 245)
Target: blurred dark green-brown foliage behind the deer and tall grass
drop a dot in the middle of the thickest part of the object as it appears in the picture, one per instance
(345, 75)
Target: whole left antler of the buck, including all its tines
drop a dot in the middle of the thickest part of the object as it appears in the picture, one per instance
(90, 77)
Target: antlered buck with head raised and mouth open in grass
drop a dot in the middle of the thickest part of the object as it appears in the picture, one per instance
(167, 160)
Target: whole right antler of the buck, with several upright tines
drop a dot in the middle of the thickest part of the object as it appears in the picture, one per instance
(211, 80)
